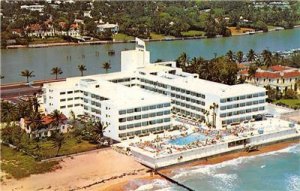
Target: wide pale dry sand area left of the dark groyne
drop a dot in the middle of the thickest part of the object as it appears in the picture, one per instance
(80, 171)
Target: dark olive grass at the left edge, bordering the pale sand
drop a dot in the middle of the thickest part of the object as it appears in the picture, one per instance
(20, 165)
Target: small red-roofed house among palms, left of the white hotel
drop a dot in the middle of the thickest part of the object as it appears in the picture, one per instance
(46, 126)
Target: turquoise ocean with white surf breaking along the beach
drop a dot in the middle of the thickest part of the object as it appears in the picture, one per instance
(273, 171)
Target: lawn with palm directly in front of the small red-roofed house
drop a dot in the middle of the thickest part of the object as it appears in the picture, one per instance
(70, 146)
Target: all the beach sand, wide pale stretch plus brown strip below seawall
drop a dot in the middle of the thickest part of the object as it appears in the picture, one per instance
(86, 171)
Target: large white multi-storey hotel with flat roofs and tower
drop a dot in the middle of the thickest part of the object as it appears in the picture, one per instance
(139, 99)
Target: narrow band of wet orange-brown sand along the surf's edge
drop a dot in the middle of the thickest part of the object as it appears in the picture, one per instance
(214, 160)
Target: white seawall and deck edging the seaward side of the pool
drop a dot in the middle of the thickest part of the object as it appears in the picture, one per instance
(164, 154)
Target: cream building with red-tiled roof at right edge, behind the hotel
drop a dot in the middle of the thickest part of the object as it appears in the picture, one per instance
(277, 77)
